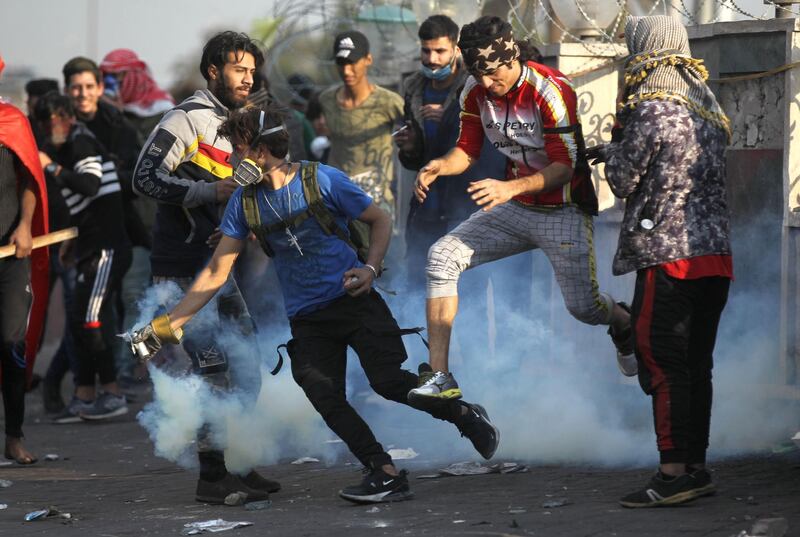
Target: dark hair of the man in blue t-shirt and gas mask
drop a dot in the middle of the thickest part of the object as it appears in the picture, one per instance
(242, 128)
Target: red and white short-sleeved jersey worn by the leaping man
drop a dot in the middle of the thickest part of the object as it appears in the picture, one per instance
(534, 125)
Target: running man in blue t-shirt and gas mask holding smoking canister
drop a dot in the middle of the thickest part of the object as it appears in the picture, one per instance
(328, 296)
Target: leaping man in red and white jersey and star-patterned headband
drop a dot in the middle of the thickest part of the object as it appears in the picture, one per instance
(546, 200)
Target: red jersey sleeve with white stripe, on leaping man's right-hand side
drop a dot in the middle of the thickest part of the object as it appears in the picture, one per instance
(558, 105)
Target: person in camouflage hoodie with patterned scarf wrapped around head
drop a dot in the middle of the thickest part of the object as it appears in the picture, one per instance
(667, 160)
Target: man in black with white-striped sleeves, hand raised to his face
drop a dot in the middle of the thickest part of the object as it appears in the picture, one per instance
(101, 253)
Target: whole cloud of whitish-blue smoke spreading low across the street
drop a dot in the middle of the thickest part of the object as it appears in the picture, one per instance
(550, 384)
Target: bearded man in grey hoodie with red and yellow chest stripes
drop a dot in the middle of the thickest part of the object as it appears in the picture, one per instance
(185, 167)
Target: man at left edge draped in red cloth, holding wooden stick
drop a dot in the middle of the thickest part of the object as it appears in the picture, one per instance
(23, 276)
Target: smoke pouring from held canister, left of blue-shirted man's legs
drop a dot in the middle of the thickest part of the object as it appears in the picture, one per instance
(280, 423)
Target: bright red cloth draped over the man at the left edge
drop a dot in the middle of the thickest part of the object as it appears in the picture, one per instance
(16, 134)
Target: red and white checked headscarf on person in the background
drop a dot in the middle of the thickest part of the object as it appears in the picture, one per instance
(137, 86)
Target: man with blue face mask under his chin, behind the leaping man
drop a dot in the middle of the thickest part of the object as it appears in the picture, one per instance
(431, 113)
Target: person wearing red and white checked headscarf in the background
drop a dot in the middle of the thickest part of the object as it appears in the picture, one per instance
(142, 100)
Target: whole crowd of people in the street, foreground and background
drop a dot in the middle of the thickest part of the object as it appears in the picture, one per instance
(502, 168)
